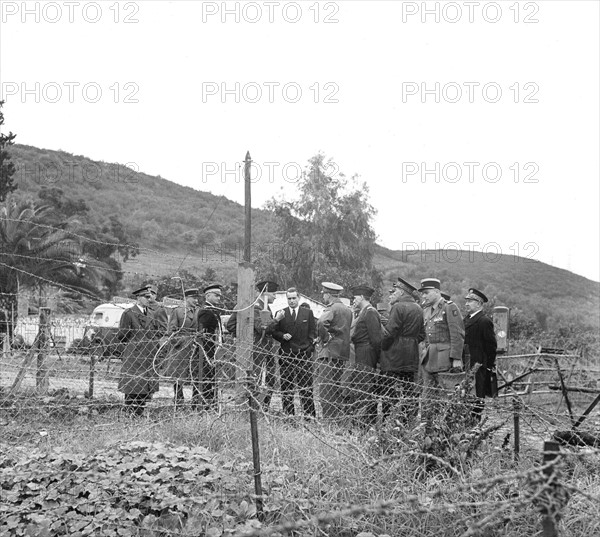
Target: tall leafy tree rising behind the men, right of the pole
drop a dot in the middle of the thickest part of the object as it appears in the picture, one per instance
(326, 234)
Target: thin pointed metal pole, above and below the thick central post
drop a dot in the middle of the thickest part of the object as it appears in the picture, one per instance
(252, 390)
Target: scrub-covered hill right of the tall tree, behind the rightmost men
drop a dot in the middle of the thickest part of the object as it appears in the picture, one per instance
(541, 293)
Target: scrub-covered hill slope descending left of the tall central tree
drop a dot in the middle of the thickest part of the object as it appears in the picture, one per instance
(156, 212)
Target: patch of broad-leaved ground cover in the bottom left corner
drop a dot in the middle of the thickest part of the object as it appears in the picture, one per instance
(136, 488)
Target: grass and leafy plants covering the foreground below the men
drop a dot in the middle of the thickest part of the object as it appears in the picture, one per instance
(88, 469)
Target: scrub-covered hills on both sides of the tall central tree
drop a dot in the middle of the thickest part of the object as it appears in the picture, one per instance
(182, 228)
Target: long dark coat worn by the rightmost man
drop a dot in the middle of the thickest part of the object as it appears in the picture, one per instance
(480, 348)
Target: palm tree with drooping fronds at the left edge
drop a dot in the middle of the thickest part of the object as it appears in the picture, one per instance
(34, 255)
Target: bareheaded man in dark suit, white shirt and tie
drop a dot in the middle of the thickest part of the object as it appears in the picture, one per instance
(296, 331)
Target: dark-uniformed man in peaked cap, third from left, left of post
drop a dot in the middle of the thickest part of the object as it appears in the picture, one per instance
(209, 326)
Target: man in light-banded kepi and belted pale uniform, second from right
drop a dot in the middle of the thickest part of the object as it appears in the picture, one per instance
(445, 335)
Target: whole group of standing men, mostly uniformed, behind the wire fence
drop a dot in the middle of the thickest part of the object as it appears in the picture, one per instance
(357, 355)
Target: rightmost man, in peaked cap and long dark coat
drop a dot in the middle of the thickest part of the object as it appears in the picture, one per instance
(480, 348)
